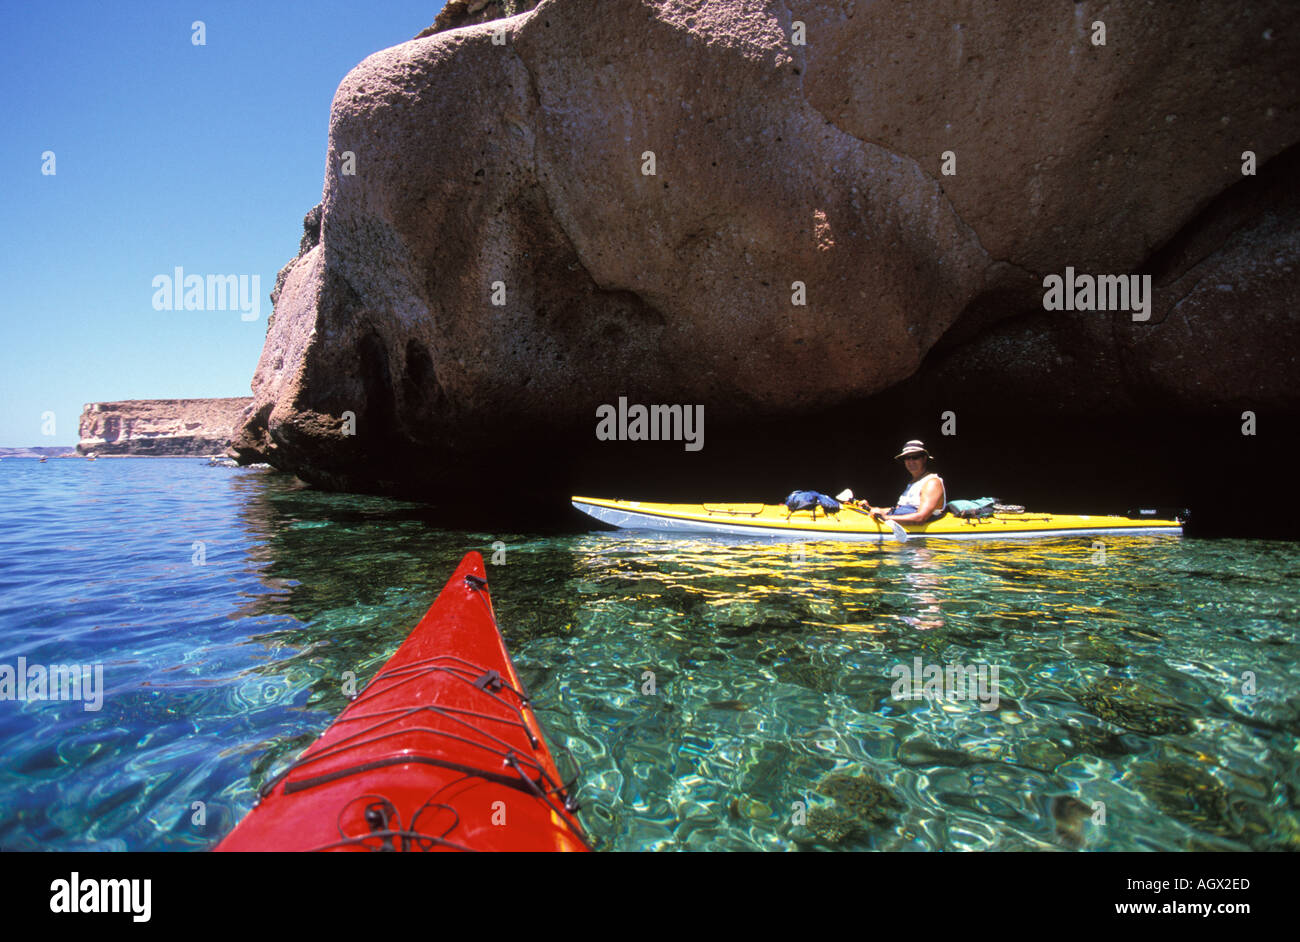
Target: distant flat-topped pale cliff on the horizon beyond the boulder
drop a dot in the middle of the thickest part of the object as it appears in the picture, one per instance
(162, 427)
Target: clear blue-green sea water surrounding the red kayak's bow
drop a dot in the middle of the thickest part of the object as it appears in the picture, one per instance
(1120, 684)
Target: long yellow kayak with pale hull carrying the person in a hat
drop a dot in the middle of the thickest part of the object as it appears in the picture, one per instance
(851, 524)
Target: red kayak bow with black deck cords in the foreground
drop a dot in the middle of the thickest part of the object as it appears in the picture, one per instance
(441, 752)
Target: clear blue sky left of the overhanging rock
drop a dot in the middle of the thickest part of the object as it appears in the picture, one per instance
(167, 155)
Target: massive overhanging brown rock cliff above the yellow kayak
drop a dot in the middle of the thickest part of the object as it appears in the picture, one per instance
(681, 202)
